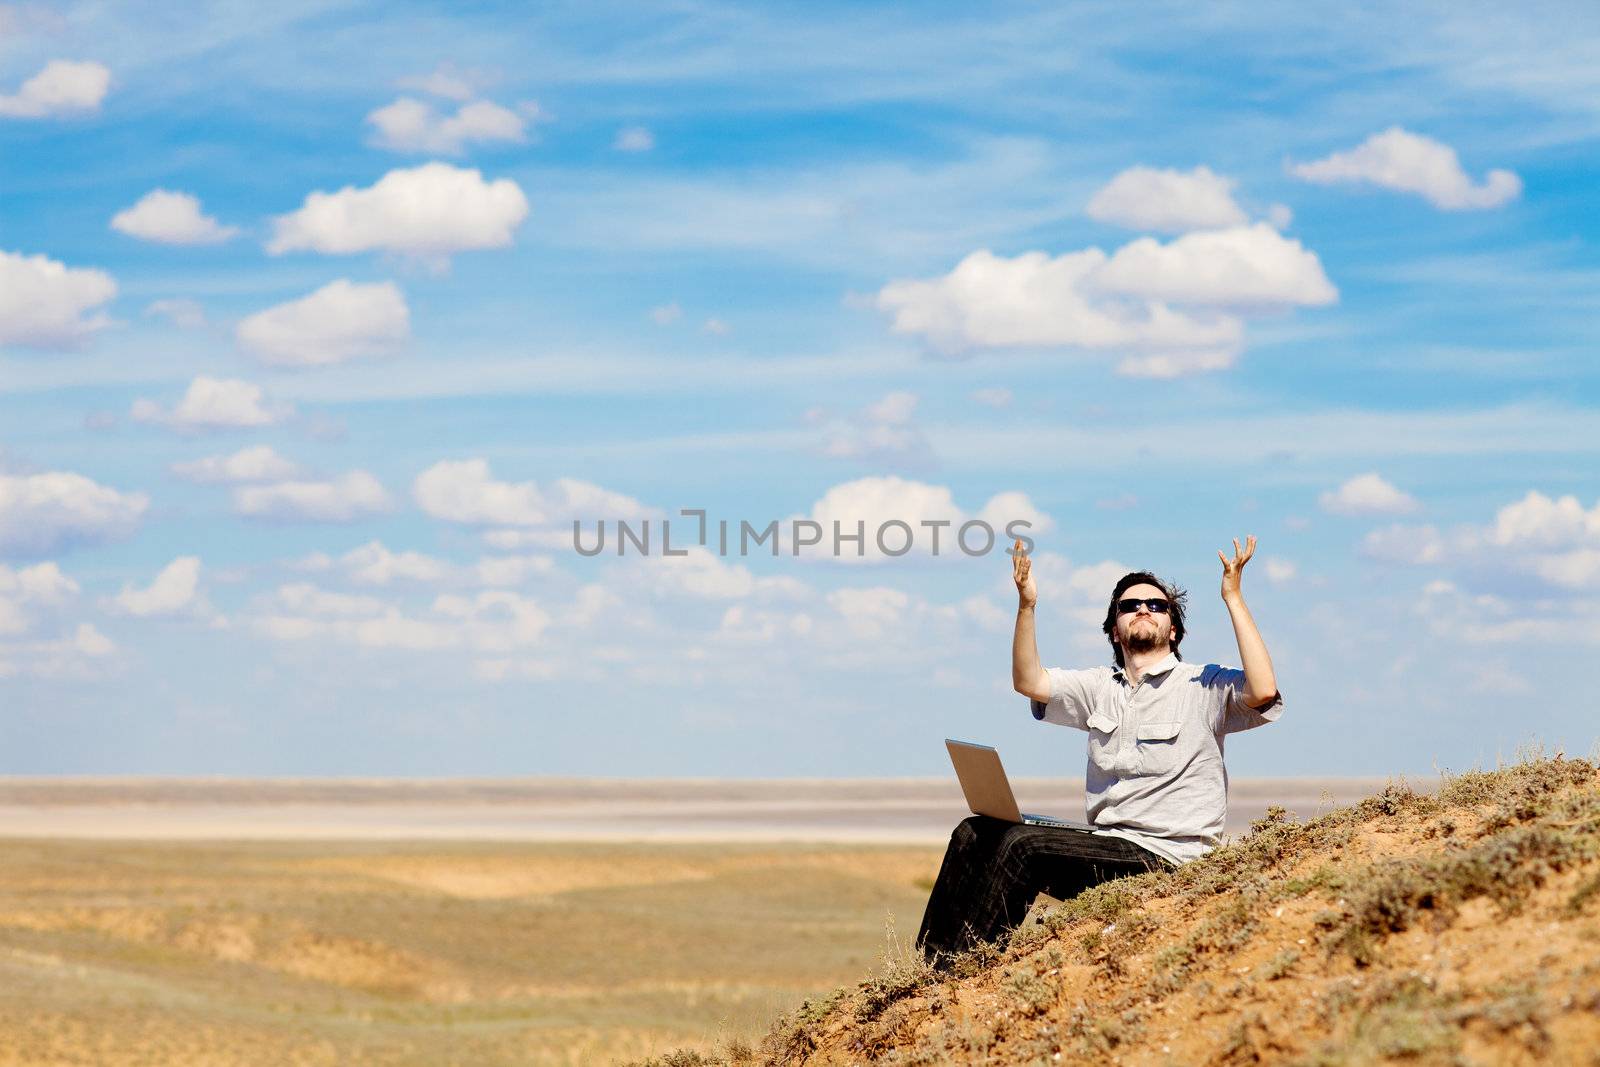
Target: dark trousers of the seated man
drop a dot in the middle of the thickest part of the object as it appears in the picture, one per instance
(994, 869)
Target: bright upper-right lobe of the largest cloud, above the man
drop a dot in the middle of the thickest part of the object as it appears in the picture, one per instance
(1250, 266)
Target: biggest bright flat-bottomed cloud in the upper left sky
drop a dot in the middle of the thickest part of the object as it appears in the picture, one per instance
(426, 212)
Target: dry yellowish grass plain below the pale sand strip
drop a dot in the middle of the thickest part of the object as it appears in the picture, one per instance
(174, 954)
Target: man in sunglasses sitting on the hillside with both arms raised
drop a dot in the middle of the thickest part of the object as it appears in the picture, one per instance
(1158, 786)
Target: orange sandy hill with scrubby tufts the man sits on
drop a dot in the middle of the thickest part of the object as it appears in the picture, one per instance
(1457, 927)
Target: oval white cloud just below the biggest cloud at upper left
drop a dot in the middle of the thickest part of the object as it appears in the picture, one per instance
(338, 322)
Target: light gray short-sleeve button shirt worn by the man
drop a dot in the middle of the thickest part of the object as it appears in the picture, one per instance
(1156, 773)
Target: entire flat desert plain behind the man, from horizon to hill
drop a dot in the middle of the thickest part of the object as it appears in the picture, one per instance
(462, 922)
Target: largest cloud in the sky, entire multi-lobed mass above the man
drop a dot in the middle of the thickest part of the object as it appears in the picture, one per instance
(1167, 310)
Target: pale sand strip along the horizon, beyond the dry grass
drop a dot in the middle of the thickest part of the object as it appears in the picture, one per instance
(908, 812)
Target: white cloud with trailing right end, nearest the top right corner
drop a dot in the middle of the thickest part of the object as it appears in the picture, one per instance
(1407, 162)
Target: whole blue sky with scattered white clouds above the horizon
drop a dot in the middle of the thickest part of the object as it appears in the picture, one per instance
(324, 324)
